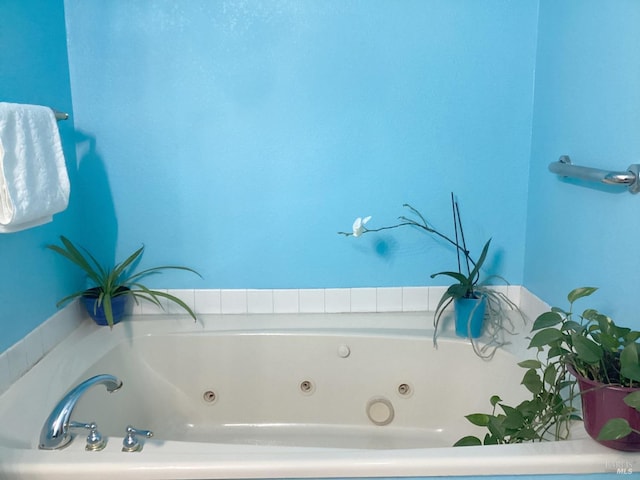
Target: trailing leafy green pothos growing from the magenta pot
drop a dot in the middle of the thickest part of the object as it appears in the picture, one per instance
(589, 344)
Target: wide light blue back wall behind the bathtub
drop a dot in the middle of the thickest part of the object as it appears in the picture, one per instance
(239, 138)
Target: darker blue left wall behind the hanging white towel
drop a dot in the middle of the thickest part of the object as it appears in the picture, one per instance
(34, 69)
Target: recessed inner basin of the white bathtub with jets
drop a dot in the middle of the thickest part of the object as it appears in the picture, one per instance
(305, 389)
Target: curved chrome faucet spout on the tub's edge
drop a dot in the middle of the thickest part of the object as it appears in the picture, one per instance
(55, 433)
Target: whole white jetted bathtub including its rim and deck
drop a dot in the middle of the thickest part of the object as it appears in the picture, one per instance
(267, 396)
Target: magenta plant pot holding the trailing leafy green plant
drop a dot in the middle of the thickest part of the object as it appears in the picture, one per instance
(601, 403)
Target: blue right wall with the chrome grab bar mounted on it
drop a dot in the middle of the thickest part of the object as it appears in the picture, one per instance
(587, 105)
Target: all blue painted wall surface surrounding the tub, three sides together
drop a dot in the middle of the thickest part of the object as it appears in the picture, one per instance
(238, 140)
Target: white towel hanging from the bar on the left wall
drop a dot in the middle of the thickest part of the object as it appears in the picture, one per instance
(33, 177)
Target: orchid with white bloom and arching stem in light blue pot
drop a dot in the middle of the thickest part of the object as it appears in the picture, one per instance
(467, 276)
